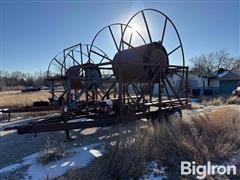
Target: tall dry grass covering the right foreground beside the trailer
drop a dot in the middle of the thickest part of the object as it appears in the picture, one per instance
(212, 138)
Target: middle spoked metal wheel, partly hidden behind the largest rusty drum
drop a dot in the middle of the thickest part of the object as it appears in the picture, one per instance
(111, 35)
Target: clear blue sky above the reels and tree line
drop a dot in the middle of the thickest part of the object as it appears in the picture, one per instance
(32, 32)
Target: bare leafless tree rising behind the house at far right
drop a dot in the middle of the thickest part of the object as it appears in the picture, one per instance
(208, 63)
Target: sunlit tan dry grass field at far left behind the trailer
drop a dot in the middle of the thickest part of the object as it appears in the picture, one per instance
(17, 98)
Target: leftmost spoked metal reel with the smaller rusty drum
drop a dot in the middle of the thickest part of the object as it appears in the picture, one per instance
(75, 65)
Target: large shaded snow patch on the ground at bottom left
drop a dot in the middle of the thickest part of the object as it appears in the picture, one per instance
(79, 157)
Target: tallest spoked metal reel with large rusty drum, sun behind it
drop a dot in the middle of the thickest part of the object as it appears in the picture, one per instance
(153, 60)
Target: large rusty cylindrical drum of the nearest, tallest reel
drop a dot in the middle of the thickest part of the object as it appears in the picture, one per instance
(139, 64)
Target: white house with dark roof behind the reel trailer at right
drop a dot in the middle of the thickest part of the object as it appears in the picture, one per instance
(221, 82)
